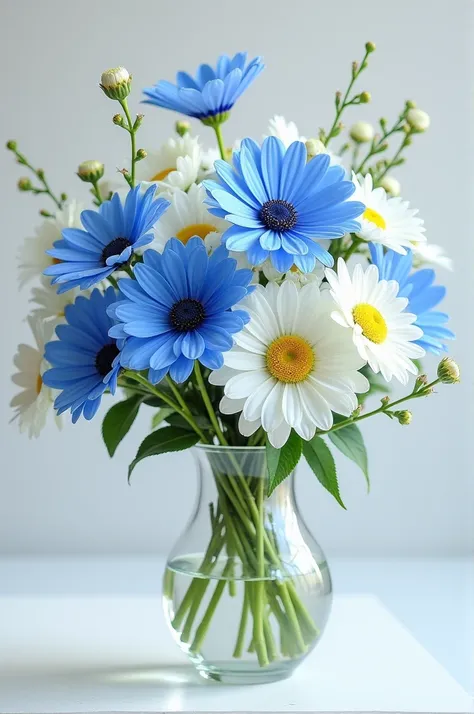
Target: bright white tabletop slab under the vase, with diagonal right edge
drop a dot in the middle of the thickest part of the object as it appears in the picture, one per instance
(113, 653)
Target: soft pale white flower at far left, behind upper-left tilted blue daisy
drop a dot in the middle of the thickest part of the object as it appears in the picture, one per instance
(32, 258)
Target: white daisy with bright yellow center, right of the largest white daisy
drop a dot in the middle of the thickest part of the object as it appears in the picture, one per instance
(382, 331)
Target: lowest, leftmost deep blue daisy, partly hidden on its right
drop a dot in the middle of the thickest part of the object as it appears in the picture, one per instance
(85, 360)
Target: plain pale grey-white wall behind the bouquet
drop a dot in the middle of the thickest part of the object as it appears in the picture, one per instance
(62, 494)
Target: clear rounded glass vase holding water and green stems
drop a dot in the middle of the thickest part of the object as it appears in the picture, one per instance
(247, 589)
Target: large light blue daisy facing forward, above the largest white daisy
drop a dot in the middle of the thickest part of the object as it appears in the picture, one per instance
(280, 204)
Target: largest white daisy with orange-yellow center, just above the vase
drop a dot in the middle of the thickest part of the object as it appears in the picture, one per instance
(291, 366)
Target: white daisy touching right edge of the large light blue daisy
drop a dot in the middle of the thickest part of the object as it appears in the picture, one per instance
(389, 221)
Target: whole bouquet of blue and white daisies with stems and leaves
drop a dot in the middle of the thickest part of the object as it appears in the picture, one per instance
(252, 296)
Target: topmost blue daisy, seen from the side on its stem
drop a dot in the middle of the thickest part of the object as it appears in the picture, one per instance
(212, 93)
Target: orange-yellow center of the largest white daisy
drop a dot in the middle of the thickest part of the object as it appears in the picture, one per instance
(290, 359)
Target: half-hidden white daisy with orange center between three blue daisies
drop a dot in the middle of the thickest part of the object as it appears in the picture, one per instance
(187, 216)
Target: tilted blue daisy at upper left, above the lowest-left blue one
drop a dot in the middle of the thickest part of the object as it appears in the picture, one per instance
(111, 235)
